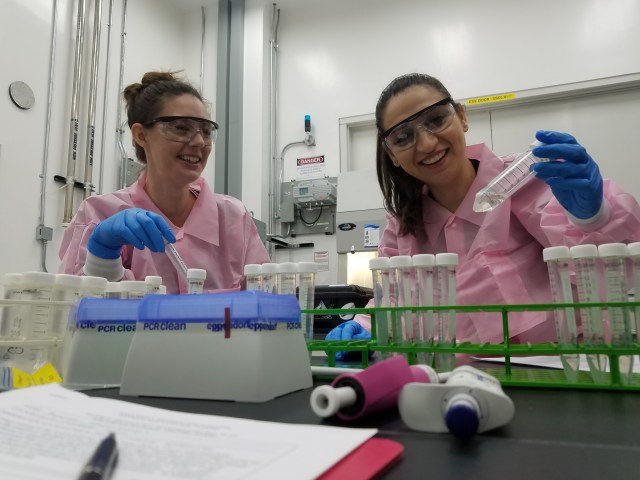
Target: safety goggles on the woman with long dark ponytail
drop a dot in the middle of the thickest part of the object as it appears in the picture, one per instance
(433, 119)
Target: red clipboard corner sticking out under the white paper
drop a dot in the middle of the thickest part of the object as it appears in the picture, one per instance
(368, 461)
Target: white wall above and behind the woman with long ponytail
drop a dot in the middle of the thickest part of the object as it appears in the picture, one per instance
(335, 57)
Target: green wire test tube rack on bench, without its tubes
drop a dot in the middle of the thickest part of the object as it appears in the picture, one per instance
(508, 373)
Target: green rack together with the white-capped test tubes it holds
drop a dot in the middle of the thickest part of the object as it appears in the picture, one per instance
(597, 320)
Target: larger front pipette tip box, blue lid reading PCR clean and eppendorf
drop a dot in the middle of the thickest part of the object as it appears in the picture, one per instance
(243, 346)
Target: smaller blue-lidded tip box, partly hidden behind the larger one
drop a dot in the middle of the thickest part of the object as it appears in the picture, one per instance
(97, 342)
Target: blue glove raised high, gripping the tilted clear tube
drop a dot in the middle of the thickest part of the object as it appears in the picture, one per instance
(576, 180)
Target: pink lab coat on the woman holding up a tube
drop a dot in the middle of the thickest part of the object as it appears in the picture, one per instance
(500, 252)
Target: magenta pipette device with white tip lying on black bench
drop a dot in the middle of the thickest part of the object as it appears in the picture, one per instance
(353, 395)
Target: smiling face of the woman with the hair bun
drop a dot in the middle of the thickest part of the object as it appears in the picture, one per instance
(171, 163)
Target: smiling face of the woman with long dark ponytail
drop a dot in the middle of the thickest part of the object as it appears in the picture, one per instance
(437, 160)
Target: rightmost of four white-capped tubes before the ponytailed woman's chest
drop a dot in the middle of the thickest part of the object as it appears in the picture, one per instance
(446, 265)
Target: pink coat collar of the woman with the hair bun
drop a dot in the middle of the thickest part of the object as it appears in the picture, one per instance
(203, 219)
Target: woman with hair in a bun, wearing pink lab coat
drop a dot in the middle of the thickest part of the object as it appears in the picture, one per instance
(121, 235)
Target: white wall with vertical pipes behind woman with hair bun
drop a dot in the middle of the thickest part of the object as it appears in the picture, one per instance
(160, 35)
